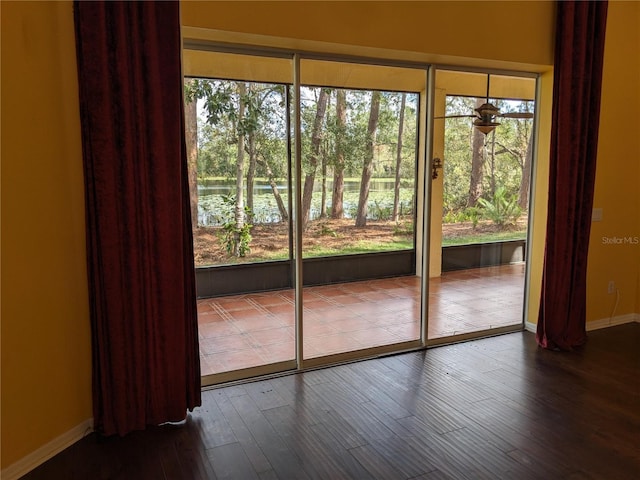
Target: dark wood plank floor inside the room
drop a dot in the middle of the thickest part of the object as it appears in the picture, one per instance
(496, 408)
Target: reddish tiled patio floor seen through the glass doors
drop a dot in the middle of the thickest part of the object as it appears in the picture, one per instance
(248, 330)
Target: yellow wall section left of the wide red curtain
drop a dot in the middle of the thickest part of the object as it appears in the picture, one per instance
(46, 351)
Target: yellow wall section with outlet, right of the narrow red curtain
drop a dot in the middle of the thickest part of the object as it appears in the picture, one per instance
(617, 189)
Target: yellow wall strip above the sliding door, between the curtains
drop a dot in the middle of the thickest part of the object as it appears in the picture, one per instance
(448, 29)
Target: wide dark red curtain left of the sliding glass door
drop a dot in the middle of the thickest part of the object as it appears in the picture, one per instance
(146, 368)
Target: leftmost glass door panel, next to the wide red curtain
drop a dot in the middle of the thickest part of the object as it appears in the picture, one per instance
(237, 127)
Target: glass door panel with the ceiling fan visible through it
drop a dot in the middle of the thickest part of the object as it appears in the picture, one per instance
(477, 284)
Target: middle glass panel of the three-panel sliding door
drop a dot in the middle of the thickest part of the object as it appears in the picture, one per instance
(360, 137)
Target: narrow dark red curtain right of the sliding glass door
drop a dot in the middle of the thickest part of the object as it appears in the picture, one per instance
(579, 48)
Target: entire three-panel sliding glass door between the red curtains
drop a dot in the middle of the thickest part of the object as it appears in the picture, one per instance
(315, 242)
